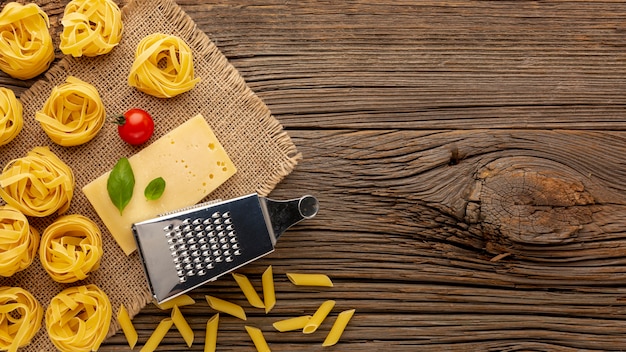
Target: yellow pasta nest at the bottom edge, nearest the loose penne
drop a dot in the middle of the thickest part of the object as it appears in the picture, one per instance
(78, 318)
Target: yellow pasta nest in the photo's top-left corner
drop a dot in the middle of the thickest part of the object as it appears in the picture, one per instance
(26, 47)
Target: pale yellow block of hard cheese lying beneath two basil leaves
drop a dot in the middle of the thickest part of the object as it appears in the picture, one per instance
(190, 159)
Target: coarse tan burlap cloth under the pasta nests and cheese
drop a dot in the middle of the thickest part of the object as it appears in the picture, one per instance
(256, 142)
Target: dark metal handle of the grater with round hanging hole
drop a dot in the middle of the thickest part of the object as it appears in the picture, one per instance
(285, 213)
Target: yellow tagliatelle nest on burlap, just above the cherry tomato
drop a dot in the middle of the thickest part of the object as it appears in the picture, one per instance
(163, 66)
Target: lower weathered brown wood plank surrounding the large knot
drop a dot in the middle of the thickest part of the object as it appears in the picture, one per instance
(392, 234)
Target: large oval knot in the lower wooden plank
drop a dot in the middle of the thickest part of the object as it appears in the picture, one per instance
(517, 203)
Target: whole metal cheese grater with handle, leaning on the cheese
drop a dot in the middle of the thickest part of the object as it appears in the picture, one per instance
(186, 249)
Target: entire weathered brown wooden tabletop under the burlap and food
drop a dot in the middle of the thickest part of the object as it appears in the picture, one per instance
(468, 157)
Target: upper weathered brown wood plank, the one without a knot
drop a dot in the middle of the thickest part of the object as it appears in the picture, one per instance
(458, 64)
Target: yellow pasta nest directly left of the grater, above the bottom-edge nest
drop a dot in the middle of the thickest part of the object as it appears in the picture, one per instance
(71, 248)
